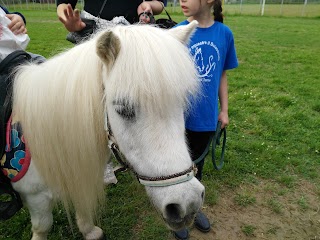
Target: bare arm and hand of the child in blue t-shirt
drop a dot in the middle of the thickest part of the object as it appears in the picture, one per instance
(223, 99)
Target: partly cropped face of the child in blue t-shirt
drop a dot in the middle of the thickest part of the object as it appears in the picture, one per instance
(193, 7)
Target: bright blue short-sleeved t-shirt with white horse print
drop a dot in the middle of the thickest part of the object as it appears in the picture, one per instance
(213, 51)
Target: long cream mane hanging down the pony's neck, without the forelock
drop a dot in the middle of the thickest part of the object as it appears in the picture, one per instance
(59, 104)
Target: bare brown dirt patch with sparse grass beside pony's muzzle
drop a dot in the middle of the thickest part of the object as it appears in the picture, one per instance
(277, 213)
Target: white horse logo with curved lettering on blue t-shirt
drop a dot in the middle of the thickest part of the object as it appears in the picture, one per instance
(205, 55)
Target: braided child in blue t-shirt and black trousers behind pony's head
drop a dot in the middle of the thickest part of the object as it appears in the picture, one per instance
(212, 48)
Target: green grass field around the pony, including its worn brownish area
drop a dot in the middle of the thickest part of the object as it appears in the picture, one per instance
(273, 148)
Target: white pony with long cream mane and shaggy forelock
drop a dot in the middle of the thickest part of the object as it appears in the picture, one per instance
(140, 77)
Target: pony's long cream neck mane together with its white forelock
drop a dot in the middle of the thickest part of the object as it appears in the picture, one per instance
(60, 104)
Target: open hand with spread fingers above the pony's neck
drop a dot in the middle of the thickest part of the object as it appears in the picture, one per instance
(71, 19)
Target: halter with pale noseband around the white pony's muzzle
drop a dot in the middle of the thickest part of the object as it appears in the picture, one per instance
(162, 181)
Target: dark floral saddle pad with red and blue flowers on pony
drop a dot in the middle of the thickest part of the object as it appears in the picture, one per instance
(16, 160)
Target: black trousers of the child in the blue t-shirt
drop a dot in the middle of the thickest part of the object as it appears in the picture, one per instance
(197, 143)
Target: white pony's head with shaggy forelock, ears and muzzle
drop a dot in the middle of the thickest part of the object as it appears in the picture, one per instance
(148, 77)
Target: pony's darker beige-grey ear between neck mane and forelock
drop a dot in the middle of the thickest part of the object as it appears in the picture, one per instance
(108, 47)
